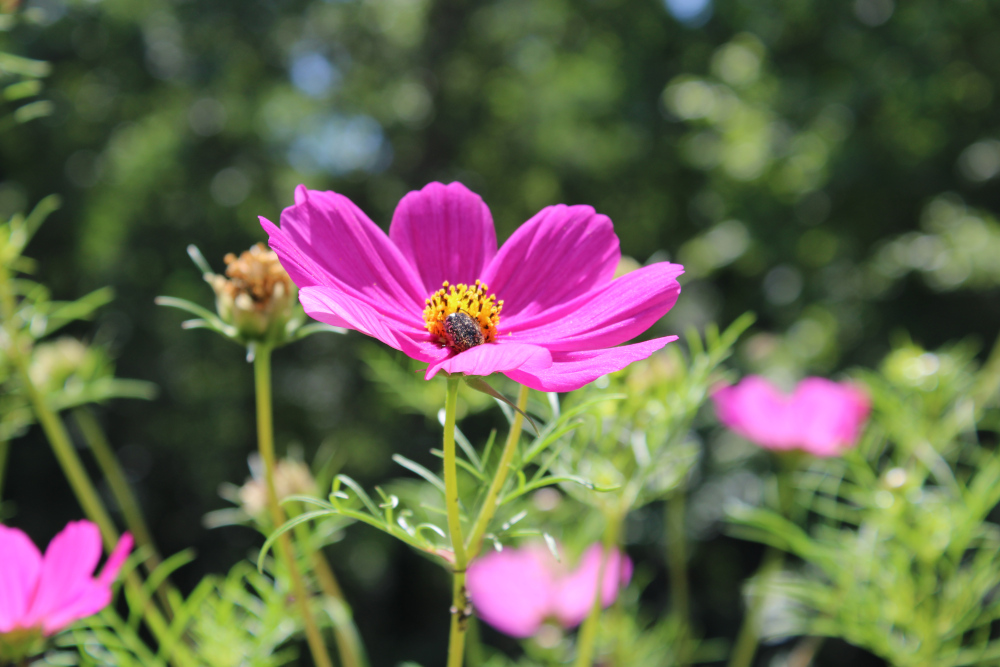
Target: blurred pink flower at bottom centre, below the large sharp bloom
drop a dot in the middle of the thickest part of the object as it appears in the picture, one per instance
(515, 590)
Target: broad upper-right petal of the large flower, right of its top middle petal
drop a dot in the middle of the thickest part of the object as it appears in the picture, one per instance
(557, 255)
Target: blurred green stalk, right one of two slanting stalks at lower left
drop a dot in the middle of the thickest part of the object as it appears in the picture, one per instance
(122, 492)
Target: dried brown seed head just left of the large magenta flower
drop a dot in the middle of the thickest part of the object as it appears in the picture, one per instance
(256, 295)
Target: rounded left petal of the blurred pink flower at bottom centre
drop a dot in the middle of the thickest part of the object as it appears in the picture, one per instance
(511, 590)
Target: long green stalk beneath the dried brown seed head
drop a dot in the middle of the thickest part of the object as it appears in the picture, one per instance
(265, 442)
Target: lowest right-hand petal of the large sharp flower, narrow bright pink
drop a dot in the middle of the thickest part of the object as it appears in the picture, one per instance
(572, 370)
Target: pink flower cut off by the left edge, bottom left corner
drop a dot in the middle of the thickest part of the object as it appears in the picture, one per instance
(50, 592)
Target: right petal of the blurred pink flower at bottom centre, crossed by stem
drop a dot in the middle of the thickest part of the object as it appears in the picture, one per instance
(576, 591)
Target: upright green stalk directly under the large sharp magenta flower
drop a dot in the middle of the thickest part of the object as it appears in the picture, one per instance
(460, 603)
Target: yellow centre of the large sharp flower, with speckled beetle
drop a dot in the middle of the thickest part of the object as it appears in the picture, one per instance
(477, 308)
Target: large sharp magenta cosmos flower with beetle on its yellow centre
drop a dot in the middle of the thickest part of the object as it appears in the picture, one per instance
(436, 285)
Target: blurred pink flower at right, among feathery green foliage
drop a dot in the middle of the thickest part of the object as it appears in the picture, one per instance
(821, 417)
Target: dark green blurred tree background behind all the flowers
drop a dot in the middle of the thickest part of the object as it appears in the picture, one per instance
(832, 166)
